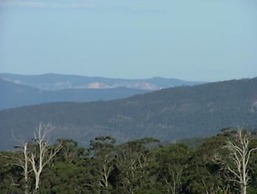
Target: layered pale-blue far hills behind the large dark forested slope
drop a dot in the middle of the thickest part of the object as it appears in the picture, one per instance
(25, 90)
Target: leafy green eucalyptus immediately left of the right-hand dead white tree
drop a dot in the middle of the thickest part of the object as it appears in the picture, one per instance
(203, 172)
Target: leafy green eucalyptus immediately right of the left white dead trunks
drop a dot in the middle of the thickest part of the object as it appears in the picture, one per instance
(70, 163)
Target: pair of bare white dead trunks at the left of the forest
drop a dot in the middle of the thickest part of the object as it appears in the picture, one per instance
(35, 155)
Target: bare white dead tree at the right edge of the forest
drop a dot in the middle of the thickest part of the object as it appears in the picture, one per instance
(239, 157)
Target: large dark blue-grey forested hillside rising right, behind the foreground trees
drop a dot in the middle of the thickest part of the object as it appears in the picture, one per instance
(168, 114)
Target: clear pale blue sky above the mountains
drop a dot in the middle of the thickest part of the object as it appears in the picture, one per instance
(197, 40)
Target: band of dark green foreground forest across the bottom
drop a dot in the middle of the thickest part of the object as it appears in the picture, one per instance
(139, 166)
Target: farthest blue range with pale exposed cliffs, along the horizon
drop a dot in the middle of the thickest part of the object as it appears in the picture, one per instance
(59, 82)
